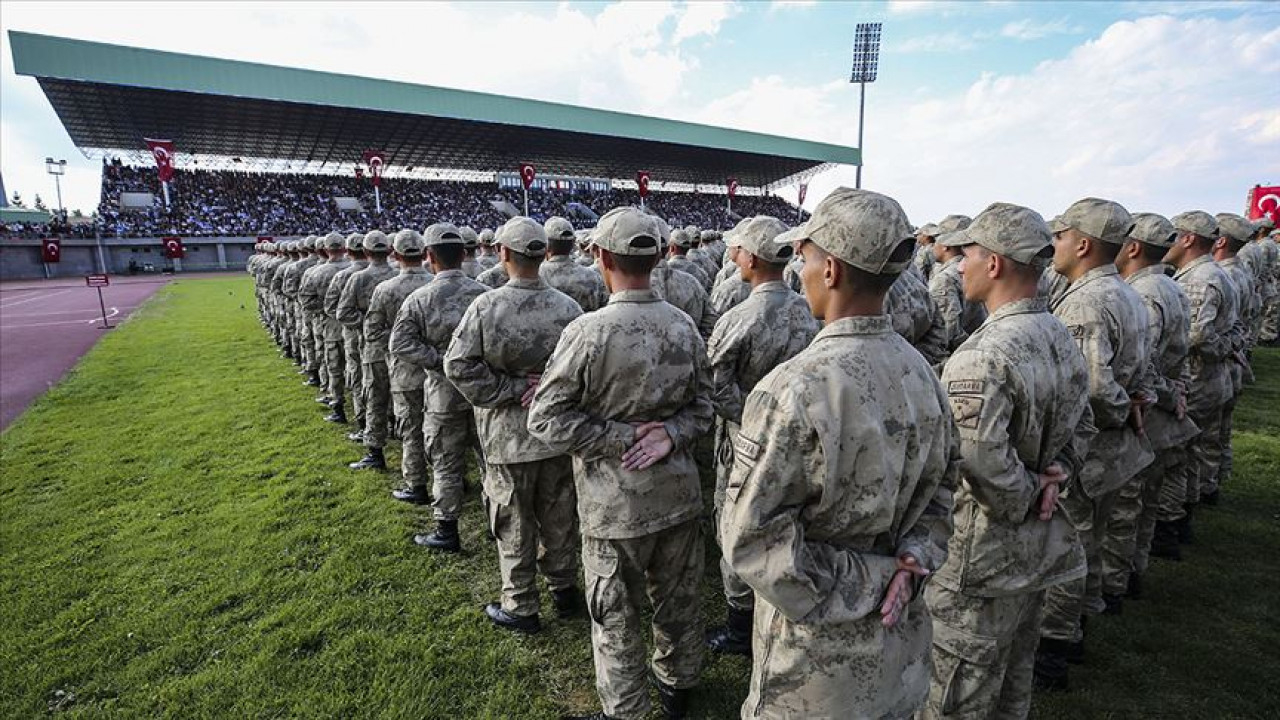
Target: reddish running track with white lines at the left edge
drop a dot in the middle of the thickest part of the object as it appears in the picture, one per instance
(45, 327)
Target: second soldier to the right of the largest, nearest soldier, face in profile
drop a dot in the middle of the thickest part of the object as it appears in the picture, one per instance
(1109, 322)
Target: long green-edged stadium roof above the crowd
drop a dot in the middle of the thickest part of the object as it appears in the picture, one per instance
(109, 98)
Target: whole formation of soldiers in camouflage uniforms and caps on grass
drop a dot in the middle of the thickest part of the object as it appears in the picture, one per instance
(938, 450)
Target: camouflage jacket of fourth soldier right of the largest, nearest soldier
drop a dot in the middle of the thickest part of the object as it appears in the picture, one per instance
(1213, 316)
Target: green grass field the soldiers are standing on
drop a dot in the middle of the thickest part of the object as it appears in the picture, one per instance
(180, 537)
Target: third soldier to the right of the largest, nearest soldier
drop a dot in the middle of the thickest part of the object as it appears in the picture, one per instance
(1150, 509)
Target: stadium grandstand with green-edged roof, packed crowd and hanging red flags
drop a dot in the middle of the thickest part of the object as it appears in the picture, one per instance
(263, 151)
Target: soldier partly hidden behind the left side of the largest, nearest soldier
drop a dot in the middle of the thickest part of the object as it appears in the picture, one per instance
(770, 327)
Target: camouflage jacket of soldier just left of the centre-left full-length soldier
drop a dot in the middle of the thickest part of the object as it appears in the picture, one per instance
(506, 336)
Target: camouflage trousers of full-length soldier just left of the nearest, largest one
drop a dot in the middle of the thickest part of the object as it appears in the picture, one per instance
(668, 567)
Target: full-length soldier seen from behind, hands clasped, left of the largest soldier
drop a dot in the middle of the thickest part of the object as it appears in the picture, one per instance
(628, 393)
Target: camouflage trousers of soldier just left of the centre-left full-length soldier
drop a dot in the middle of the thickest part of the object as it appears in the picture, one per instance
(533, 517)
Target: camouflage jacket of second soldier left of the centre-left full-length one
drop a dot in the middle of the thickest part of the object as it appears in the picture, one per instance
(424, 329)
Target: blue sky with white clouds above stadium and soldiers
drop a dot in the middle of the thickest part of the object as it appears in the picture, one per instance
(1163, 107)
